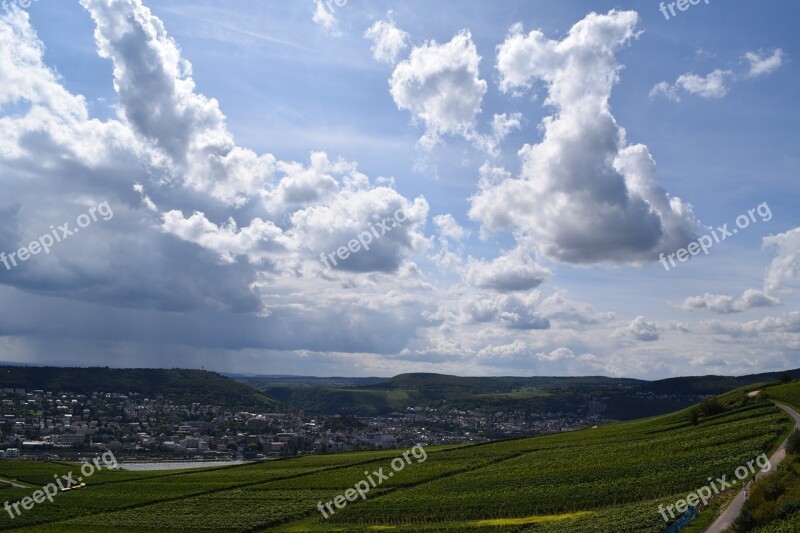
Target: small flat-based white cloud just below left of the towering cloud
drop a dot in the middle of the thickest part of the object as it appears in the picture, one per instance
(514, 271)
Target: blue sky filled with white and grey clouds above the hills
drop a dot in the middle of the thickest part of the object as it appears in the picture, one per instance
(353, 188)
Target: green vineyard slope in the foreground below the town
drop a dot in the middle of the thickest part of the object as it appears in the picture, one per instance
(611, 478)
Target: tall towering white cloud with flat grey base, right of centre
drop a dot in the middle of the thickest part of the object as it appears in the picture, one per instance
(584, 195)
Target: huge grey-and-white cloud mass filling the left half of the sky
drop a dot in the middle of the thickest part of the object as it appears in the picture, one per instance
(228, 237)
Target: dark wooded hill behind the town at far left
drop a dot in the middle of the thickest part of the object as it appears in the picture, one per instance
(183, 386)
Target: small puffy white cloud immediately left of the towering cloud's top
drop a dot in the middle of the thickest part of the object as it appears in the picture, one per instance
(440, 85)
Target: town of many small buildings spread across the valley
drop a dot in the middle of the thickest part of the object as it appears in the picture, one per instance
(39, 424)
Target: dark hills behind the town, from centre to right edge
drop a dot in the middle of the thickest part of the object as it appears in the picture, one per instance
(625, 399)
